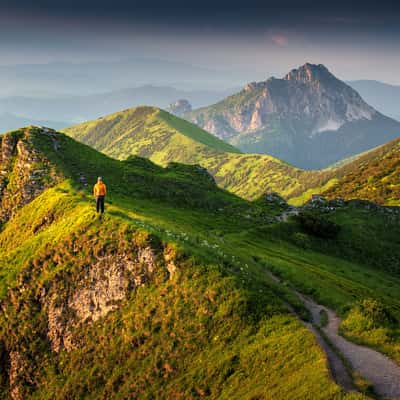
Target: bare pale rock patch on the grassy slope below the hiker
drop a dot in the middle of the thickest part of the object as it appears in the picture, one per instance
(99, 291)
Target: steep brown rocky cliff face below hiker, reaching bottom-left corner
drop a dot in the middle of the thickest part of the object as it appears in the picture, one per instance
(78, 296)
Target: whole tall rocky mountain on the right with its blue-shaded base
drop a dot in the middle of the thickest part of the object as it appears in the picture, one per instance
(309, 118)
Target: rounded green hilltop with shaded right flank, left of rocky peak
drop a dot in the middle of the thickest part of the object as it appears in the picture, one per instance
(144, 131)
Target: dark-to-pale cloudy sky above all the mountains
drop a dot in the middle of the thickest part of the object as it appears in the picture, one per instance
(354, 39)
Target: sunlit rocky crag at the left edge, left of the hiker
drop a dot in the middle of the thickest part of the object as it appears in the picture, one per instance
(24, 171)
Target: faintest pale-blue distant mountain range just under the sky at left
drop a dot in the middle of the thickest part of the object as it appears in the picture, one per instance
(53, 79)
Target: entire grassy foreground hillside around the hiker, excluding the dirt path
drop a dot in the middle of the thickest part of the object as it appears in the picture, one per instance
(169, 294)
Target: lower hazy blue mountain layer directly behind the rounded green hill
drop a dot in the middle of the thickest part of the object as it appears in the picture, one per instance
(73, 109)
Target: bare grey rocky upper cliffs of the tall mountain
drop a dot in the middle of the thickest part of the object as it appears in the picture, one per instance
(310, 93)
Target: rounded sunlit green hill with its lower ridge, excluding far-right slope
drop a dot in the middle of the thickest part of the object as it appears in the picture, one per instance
(163, 138)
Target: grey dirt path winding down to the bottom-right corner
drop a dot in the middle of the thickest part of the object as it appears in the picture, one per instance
(373, 366)
